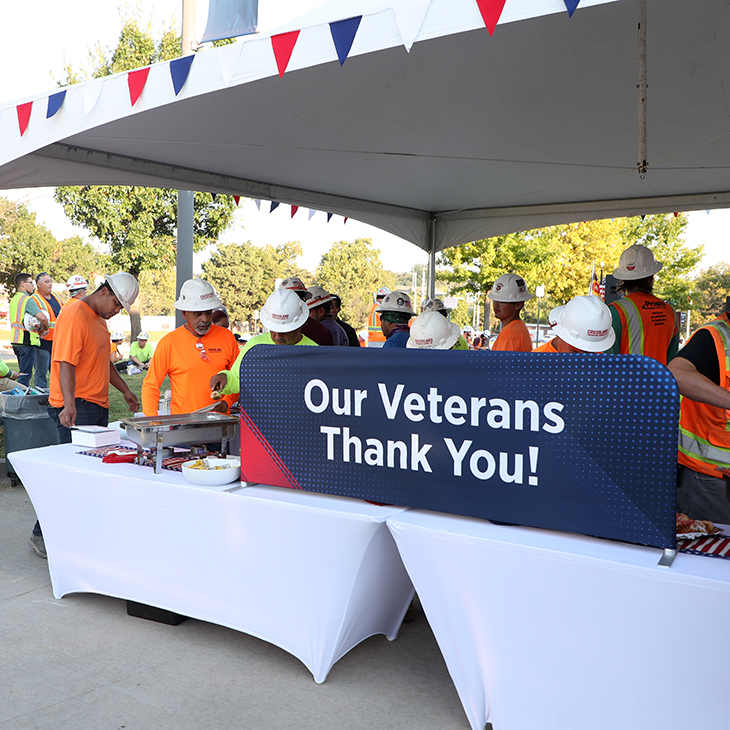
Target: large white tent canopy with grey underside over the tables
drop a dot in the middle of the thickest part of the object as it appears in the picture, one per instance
(466, 136)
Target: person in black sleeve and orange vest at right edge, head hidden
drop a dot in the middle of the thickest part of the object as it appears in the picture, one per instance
(703, 376)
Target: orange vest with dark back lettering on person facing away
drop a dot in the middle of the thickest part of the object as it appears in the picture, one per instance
(644, 325)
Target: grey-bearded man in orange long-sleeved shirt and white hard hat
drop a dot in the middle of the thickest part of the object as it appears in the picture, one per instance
(191, 355)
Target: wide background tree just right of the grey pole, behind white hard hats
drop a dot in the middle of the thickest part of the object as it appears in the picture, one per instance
(245, 275)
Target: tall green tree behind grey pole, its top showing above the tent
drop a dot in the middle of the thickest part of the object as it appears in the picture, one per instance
(139, 224)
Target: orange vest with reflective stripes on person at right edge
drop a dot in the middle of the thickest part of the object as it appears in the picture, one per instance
(704, 432)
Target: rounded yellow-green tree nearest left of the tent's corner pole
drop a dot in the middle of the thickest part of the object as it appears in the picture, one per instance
(352, 269)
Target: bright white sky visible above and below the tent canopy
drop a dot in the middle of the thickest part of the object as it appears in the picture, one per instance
(47, 34)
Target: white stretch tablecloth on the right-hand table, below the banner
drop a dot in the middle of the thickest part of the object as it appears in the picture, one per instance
(543, 630)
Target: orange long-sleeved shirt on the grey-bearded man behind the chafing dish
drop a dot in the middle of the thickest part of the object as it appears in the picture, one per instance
(190, 373)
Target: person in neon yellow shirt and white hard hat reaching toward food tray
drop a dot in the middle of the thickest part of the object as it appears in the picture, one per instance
(284, 315)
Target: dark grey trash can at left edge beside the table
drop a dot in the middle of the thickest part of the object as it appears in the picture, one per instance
(27, 425)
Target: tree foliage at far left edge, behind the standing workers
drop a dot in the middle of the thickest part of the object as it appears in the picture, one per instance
(30, 247)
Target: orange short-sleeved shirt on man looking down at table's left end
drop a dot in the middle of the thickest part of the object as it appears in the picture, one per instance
(82, 340)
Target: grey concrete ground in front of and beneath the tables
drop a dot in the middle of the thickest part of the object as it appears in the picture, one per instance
(80, 663)
